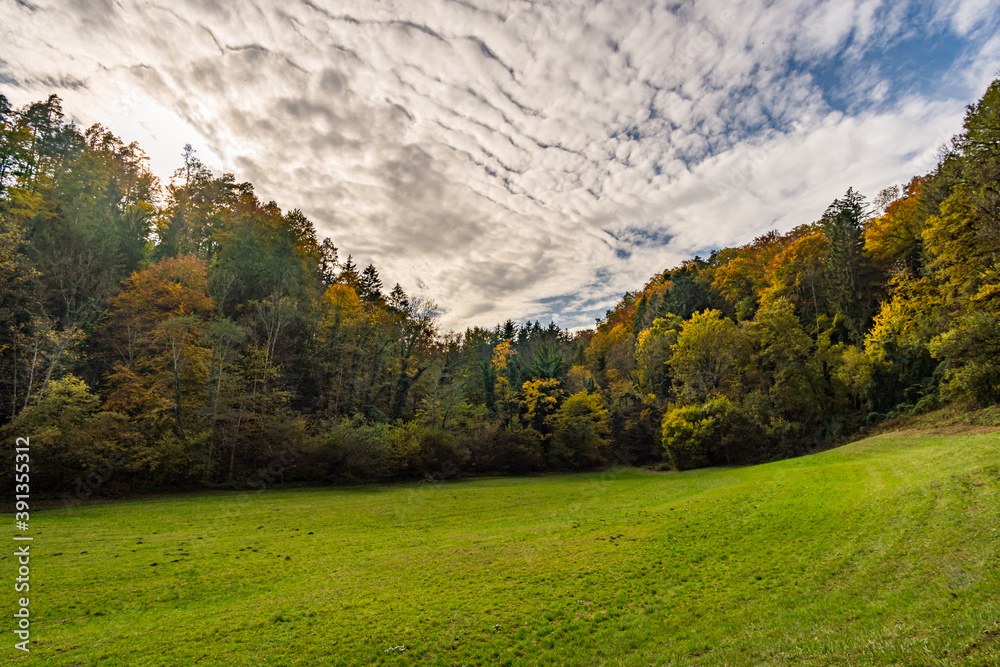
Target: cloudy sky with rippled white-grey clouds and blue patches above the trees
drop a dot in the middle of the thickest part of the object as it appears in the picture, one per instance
(515, 159)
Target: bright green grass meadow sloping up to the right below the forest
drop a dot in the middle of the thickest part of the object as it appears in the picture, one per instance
(885, 551)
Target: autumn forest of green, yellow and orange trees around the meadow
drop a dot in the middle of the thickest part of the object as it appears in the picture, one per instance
(188, 335)
